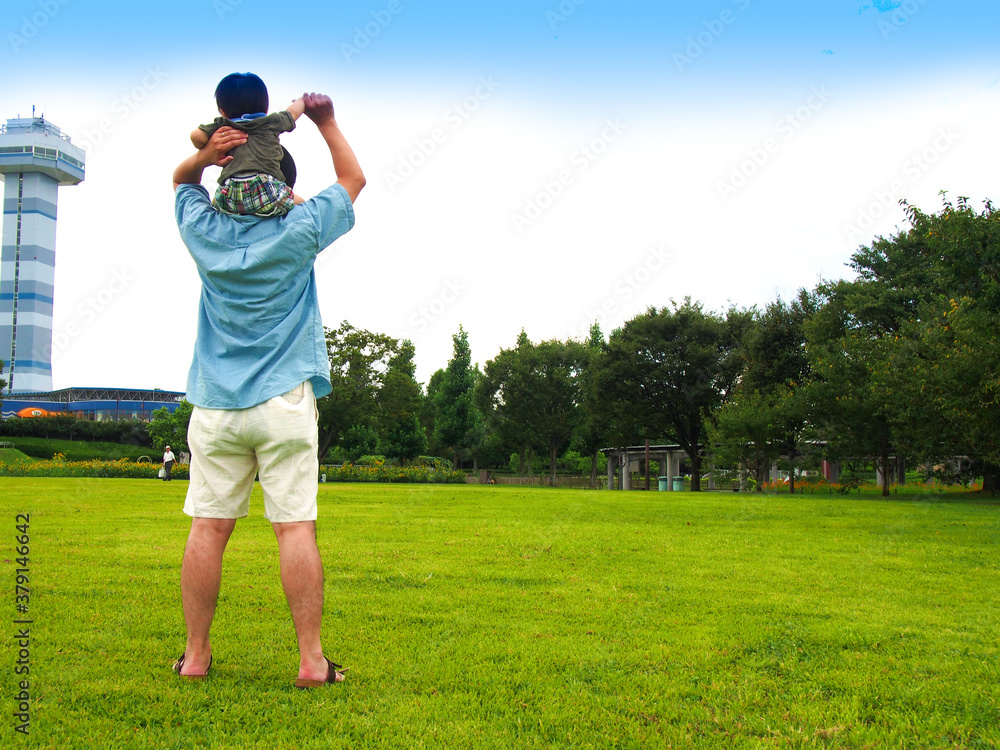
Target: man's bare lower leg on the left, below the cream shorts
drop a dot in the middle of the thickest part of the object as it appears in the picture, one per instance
(201, 577)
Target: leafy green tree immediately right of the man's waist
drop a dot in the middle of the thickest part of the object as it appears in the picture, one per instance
(359, 360)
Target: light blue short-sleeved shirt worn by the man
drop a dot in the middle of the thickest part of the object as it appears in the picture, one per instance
(260, 333)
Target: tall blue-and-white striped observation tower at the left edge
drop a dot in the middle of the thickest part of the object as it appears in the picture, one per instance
(35, 159)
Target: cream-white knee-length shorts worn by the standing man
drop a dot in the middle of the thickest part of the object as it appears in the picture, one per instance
(277, 438)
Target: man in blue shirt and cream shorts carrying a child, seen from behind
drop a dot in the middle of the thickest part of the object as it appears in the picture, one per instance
(260, 363)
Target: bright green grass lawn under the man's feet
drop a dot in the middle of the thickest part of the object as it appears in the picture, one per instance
(520, 617)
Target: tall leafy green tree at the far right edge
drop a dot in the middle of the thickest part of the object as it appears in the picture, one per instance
(943, 362)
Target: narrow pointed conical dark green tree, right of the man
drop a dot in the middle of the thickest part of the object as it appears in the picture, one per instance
(456, 414)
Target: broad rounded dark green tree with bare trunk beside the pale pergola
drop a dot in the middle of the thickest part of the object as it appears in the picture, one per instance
(668, 370)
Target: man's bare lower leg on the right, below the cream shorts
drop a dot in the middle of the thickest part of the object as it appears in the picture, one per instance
(302, 580)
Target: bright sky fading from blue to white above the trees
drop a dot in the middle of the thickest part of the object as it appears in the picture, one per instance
(531, 164)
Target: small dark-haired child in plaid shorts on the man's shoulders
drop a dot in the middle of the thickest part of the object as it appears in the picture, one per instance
(253, 182)
